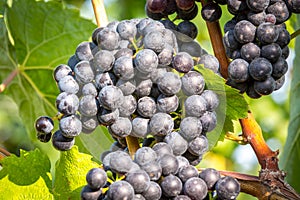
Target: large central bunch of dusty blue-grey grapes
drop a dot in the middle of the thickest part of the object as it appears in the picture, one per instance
(132, 79)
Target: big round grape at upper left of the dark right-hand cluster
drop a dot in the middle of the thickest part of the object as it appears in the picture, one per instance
(244, 31)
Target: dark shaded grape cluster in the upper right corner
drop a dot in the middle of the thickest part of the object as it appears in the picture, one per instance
(256, 39)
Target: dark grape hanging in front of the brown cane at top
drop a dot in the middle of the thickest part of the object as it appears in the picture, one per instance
(211, 12)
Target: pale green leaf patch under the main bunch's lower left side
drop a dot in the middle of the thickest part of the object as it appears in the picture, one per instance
(95, 143)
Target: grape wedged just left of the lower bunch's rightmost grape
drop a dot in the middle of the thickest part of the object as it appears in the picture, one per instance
(210, 176)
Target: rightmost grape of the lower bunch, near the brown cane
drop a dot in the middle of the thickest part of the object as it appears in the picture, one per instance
(227, 188)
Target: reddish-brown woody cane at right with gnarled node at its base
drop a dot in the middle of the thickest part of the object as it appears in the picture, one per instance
(270, 174)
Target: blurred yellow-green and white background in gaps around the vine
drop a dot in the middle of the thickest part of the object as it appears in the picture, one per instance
(271, 112)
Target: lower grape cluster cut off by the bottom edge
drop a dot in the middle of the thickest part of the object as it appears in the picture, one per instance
(154, 173)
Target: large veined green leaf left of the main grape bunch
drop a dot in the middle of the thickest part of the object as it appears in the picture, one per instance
(43, 35)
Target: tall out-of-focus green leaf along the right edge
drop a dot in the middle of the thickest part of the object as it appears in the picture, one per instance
(289, 160)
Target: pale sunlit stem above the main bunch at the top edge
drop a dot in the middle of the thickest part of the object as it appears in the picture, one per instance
(100, 13)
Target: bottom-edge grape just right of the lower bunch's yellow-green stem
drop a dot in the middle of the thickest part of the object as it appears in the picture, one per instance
(120, 190)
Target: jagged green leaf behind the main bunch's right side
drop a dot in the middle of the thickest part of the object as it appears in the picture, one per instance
(233, 105)
